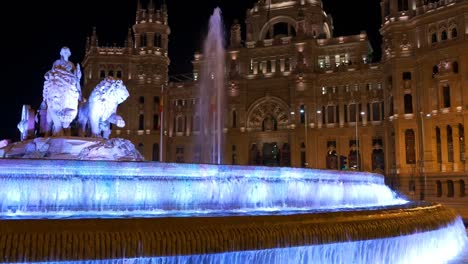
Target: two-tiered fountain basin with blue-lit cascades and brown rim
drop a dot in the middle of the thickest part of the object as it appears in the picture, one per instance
(149, 212)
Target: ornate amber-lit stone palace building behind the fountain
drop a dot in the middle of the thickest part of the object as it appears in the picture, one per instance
(300, 96)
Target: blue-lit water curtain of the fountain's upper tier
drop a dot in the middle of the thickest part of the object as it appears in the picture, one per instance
(53, 188)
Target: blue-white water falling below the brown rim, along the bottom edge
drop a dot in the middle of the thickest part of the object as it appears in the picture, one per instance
(439, 246)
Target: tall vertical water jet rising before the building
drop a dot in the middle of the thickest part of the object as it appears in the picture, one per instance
(212, 102)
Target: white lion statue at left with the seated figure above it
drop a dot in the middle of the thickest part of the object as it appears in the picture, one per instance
(61, 94)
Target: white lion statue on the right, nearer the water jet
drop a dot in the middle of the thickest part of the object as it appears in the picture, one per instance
(100, 110)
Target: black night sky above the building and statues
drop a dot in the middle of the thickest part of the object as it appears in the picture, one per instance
(31, 41)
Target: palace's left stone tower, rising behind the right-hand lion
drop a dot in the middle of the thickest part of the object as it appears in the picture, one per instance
(142, 63)
